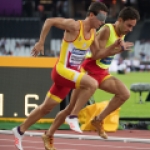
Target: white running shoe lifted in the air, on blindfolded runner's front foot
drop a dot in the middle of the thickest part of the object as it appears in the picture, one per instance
(73, 123)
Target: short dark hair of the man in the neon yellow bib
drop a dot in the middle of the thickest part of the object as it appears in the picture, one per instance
(129, 13)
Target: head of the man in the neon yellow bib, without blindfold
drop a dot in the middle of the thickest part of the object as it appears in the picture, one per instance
(127, 19)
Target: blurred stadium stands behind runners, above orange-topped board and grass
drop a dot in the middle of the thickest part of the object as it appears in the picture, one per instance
(21, 22)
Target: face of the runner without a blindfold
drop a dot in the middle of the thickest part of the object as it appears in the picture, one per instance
(127, 26)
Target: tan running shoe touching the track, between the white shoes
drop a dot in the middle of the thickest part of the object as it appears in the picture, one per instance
(48, 142)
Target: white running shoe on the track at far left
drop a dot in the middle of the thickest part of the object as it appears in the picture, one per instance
(18, 138)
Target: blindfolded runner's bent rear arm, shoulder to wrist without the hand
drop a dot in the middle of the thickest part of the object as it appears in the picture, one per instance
(62, 23)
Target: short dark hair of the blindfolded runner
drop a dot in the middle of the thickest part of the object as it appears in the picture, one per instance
(95, 7)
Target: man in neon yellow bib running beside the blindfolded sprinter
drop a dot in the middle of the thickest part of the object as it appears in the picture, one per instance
(98, 69)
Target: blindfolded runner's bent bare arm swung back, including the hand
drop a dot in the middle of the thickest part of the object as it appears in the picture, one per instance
(70, 26)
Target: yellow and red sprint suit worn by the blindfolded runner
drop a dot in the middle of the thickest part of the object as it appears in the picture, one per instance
(65, 74)
